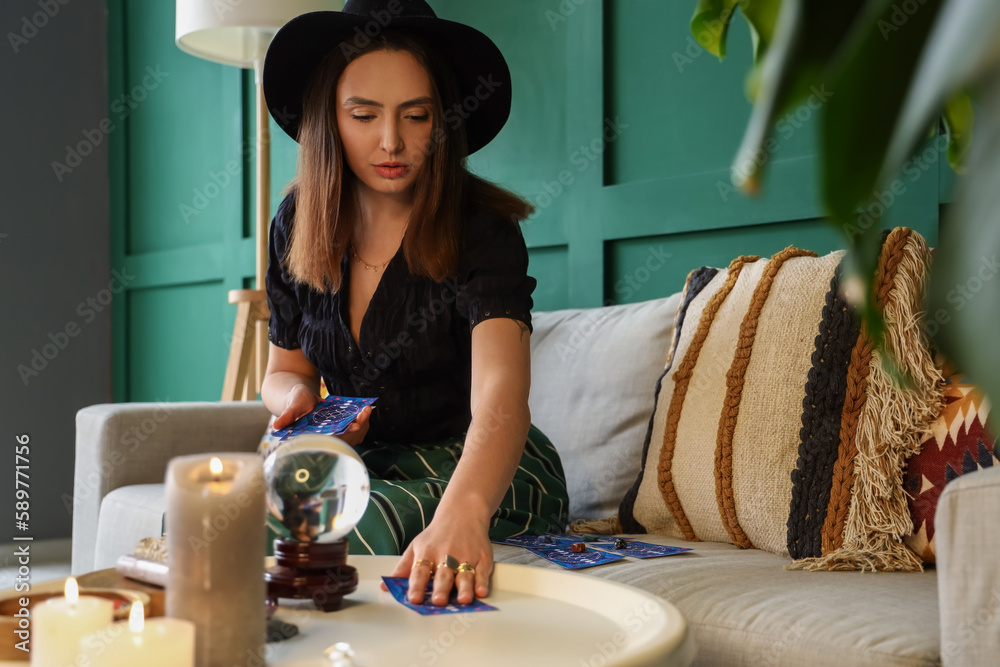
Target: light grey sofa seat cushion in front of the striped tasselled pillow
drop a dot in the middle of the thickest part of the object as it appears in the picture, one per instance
(745, 609)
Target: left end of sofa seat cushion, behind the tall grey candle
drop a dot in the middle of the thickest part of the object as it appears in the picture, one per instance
(128, 514)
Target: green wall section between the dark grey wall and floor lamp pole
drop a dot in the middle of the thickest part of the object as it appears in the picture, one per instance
(180, 174)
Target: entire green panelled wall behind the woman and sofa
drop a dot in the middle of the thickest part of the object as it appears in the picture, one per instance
(621, 134)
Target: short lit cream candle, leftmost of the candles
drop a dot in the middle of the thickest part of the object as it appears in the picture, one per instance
(57, 624)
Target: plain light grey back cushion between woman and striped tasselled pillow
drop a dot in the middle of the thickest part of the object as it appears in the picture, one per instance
(593, 376)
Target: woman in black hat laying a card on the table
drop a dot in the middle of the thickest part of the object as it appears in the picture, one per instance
(395, 273)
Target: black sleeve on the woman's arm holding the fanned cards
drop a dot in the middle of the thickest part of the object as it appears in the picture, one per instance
(286, 314)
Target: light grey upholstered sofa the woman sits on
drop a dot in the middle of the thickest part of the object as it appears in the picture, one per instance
(593, 375)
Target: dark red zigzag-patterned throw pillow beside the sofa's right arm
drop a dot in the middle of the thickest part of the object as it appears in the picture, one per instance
(959, 443)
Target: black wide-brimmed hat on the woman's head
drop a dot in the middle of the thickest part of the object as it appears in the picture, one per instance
(301, 44)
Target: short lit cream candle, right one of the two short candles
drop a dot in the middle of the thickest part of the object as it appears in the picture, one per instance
(158, 642)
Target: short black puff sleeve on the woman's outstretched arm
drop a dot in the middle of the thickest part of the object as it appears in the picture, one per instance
(493, 278)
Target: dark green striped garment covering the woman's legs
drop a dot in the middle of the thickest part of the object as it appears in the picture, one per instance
(408, 480)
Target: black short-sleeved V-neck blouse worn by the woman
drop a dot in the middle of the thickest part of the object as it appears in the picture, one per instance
(415, 351)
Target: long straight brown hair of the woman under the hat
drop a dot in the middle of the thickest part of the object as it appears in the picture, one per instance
(325, 188)
